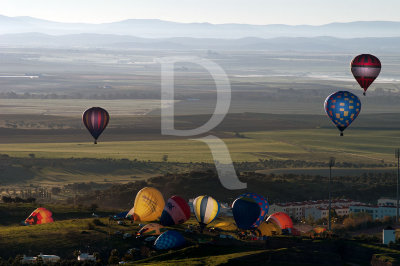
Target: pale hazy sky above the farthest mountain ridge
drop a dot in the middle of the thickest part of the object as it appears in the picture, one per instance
(292, 12)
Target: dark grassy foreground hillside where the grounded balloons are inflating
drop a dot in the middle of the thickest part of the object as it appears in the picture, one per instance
(74, 230)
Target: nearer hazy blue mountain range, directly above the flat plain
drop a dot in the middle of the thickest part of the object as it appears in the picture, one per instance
(108, 41)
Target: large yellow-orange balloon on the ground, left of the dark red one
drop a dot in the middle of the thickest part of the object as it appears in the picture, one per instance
(148, 206)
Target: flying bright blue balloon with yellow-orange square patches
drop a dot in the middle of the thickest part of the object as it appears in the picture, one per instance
(342, 107)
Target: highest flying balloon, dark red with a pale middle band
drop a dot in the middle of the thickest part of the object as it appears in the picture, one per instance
(365, 69)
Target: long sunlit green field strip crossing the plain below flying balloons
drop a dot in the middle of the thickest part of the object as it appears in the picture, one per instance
(361, 146)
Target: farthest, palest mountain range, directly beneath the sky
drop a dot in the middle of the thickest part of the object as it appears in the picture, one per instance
(153, 28)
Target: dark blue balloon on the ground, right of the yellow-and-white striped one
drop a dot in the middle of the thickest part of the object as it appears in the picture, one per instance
(249, 210)
